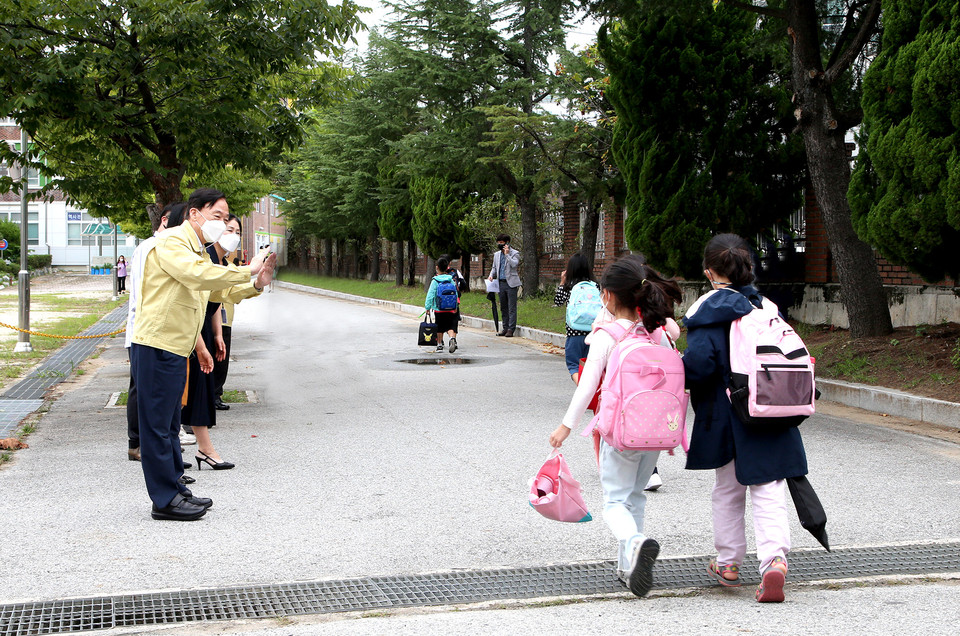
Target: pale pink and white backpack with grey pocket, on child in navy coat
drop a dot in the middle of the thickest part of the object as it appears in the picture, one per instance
(771, 371)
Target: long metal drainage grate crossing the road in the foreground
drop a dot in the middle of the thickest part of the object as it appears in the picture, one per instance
(442, 588)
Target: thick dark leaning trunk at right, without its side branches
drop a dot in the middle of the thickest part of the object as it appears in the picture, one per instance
(861, 288)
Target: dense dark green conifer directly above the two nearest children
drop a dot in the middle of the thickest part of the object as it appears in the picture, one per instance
(701, 135)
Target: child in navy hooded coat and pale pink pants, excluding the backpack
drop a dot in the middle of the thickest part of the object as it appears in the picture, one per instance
(744, 457)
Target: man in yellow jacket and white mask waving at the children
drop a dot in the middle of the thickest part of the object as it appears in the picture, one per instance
(178, 278)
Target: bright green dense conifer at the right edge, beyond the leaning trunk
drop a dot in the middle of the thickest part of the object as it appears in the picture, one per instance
(905, 190)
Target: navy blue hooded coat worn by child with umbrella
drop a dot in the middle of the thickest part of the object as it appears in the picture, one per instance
(762, 454)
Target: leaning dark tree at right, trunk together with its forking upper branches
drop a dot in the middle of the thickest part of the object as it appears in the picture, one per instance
(827, 42)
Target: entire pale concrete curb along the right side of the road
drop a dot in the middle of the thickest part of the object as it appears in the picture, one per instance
(869, 398)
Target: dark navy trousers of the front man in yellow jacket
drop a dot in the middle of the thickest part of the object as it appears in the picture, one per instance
(160, 377)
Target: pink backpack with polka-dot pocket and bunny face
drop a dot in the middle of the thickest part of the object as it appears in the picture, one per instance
(643, 404)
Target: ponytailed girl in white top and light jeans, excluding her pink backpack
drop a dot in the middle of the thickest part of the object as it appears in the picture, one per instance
(641, 301)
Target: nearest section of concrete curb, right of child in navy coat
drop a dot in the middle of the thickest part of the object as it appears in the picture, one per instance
(892, 402)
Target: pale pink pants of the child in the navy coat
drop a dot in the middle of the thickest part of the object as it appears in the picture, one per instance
(770, 521)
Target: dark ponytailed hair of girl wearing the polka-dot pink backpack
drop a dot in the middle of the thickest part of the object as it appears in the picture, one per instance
(641, 287)
